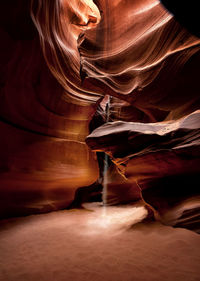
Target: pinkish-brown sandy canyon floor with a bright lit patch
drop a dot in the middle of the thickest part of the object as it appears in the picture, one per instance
(93, 245)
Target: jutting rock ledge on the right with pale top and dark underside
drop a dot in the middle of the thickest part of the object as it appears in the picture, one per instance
(162, 159)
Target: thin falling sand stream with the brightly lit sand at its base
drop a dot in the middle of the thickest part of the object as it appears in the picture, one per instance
(108, 218)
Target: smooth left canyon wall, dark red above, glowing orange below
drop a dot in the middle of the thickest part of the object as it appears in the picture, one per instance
(43, 155)
